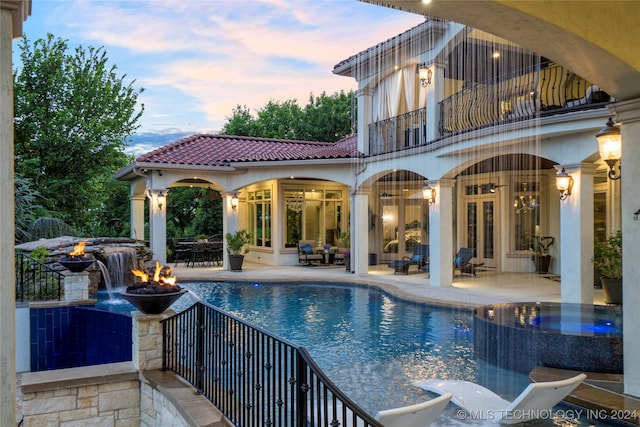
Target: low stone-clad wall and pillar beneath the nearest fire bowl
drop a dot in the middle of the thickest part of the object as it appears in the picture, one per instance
(124, 394)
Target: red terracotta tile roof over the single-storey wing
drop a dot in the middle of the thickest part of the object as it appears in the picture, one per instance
(221, 150)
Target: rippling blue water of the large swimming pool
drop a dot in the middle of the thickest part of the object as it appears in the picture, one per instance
(371, 344)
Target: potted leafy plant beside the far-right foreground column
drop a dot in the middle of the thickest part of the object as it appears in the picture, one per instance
(607, 259)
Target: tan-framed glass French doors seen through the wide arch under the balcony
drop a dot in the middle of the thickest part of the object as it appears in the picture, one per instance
(481, 230)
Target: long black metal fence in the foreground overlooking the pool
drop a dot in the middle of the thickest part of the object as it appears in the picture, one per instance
(252, 376)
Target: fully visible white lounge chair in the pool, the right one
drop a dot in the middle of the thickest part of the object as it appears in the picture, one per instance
(482, 403)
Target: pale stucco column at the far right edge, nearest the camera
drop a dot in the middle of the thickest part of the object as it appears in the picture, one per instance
(628, 113)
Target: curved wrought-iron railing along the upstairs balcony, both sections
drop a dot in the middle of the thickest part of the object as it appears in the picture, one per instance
(546, 89)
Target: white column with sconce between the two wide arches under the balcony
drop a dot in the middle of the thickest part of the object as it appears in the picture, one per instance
(441, 234)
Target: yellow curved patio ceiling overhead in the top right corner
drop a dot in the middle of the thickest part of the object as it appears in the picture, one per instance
(593, 38)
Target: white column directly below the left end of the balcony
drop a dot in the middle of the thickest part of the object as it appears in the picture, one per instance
(360, 234)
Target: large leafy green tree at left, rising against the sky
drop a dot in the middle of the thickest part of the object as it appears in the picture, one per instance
(72, 116)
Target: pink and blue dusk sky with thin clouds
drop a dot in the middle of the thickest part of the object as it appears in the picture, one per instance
(197, 60)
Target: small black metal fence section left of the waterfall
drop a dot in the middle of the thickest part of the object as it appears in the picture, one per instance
(35, 280)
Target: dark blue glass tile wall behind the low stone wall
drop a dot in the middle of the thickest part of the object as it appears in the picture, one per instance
(69, 337)
